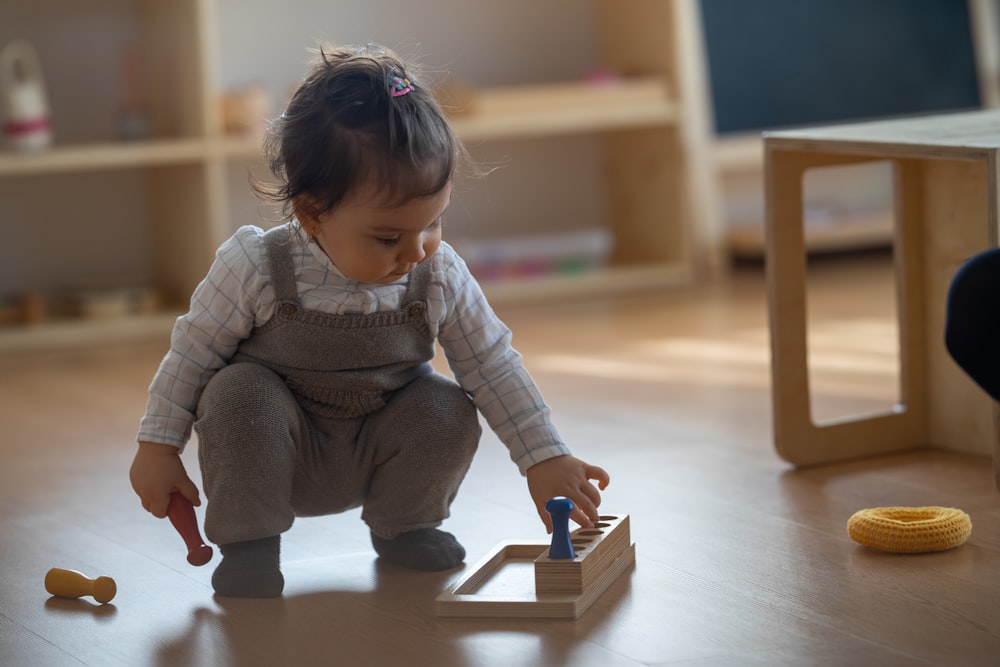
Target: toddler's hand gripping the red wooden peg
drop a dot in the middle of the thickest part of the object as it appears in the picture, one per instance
(157, 471)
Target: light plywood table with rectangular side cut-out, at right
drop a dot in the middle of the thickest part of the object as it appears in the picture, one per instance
(946, 210)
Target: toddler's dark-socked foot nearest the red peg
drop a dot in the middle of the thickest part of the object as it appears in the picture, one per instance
(250, 569)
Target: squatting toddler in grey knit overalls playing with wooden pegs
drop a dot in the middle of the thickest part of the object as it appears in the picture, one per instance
(303, 364)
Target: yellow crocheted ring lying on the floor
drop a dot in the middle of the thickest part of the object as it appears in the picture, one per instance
(904, 530)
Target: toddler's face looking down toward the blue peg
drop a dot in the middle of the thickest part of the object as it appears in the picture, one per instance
(374, 243)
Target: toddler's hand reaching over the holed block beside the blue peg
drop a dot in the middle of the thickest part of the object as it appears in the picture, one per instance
(570, 477)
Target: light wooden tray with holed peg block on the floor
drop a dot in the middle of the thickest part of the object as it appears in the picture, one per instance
(521, 581)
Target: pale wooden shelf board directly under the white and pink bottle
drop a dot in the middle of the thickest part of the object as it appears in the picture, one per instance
(89, 157)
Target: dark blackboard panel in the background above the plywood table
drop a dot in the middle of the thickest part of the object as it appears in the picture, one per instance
(781, 63)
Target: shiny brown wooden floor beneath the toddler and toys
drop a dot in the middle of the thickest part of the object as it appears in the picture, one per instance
(741, 560)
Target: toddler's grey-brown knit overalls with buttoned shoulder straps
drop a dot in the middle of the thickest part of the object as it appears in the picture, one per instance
(319, 413)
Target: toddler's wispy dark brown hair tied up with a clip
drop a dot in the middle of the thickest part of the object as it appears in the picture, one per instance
(343, 129)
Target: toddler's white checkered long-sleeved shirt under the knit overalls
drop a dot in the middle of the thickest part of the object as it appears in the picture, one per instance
(237, 295)
